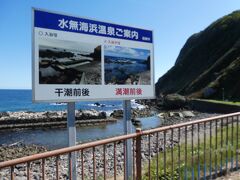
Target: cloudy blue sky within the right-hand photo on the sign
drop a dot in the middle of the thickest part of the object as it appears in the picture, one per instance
(118, 51)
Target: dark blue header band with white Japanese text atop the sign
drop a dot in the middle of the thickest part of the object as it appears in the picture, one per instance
(79, 25)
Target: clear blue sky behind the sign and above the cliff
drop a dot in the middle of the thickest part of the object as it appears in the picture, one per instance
(172, 21)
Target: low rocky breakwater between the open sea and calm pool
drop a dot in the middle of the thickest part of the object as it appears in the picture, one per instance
(51, 119)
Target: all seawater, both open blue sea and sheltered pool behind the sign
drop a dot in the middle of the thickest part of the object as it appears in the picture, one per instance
(54, 138)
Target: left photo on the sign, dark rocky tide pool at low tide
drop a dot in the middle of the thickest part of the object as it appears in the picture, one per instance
(67, 62)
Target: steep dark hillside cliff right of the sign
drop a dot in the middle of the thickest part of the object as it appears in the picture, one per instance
(208, 64)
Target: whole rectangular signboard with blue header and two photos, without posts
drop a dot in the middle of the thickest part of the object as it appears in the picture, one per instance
(77, 59)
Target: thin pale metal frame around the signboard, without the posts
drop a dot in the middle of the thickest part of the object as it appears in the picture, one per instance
(34, 70)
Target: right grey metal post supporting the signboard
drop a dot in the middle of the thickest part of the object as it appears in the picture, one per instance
(128, 130)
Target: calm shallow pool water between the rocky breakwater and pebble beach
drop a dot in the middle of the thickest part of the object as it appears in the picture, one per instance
(55, 138)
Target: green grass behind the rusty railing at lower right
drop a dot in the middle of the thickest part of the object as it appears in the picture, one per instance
(228, 155)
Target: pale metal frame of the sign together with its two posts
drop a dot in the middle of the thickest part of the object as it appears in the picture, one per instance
(71, 102)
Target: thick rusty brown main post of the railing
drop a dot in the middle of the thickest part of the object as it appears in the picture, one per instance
(138, 154)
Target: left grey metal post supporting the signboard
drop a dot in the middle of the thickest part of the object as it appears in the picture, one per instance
(71, 139)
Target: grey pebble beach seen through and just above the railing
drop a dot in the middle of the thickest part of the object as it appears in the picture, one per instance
(88, 169)
